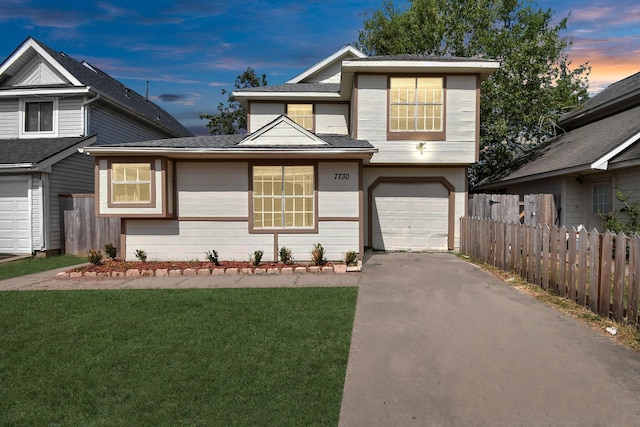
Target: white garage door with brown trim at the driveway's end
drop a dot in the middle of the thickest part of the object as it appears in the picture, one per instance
(410, 216)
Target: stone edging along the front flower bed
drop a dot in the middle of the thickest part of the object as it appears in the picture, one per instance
(164, 272)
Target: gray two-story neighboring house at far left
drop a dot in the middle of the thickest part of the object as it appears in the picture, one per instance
(50, 106)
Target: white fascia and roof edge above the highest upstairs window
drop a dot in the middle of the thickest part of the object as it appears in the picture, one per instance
(485, 68)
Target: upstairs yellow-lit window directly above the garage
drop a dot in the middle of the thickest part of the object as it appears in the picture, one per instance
(416, 108)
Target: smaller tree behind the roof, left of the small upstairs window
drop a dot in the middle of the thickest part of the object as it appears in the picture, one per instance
(231, 117)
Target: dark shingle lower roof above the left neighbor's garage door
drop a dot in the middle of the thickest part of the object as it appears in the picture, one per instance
(14, 151)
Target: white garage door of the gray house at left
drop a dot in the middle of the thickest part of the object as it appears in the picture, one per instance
(15, 229)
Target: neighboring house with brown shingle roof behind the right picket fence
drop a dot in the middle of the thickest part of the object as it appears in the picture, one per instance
(598, 154)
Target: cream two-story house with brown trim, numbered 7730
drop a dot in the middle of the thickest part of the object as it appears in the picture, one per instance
(354, 152)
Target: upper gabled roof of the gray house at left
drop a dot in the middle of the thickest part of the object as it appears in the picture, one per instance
(83, 74)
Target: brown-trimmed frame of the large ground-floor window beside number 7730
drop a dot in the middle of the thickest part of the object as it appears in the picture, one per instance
(283, 229)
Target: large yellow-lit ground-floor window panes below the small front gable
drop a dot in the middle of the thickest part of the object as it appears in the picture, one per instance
(283, 197)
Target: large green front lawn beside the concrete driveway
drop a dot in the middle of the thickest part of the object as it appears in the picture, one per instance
(222, 357)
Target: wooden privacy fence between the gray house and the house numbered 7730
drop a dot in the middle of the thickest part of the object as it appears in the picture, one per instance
(82, 230)
